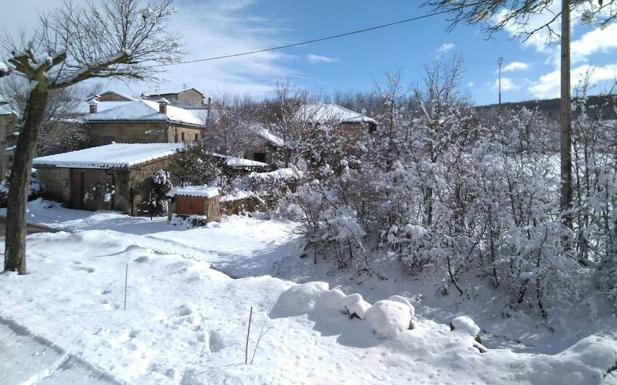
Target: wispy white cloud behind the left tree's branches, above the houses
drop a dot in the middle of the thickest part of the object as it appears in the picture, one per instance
(207, 28)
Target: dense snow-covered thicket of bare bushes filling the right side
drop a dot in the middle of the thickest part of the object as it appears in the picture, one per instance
(465, 193)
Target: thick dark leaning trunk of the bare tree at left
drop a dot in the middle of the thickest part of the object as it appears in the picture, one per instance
(15, 244)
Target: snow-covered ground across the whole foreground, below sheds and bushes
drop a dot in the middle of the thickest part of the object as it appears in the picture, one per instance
(185, 323)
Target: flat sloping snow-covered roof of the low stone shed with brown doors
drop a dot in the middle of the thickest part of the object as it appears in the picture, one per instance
(115, 155)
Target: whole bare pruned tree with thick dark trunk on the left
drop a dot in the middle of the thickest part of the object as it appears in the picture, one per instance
(121, 38)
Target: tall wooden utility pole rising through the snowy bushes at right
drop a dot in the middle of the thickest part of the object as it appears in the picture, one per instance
(566, 119)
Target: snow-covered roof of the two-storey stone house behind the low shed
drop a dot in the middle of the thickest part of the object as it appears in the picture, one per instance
(145, 110)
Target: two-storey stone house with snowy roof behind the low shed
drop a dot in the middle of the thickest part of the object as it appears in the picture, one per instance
(143, 121)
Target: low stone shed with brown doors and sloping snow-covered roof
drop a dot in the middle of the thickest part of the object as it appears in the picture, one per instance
(110, 177)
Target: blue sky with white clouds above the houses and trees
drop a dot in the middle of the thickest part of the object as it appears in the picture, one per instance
(354, 63)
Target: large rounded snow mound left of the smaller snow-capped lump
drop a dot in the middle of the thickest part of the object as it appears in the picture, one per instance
(387, 318)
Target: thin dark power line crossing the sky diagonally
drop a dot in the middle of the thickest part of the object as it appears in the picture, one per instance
(305, 42)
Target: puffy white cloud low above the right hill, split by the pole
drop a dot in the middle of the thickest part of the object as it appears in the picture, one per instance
(548, 85)
